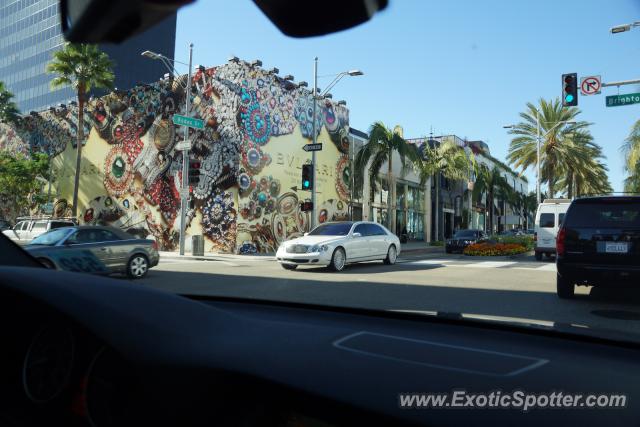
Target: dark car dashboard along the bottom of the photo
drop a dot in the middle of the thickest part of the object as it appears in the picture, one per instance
(91, 351)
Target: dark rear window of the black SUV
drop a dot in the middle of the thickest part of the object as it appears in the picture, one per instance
(604, 214)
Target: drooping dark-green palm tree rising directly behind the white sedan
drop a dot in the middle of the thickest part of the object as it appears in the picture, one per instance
(378, 150)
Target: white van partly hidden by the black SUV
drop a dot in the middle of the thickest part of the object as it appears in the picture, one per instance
(548, 219)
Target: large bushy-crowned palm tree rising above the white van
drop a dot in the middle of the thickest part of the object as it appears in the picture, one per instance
(555, 151)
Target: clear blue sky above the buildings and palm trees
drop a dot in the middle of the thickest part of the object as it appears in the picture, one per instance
(461, 67)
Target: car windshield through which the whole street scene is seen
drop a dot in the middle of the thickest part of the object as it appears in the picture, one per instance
(451, 137)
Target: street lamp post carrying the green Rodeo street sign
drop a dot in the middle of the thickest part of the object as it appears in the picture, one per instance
(185, 153)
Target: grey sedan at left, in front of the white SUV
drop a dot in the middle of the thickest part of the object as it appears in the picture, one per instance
(95, 249)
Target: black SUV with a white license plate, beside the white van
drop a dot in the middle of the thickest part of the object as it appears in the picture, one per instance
(598, 244)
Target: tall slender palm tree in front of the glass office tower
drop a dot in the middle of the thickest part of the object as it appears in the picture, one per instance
(84, 67)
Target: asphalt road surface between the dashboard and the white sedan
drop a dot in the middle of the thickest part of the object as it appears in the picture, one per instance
(519, 289)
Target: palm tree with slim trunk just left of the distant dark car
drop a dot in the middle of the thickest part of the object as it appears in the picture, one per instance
(441, 160)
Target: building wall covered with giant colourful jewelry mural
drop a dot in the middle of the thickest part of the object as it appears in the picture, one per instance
(250, 152)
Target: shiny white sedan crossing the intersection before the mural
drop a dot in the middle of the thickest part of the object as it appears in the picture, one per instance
(336, 244)
